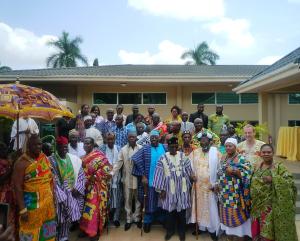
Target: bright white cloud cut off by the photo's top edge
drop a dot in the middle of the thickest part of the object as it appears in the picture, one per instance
(183, 10)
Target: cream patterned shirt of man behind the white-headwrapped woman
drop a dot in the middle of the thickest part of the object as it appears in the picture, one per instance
(252, 154)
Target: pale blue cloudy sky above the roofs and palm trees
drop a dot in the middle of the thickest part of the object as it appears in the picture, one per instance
(149, 31)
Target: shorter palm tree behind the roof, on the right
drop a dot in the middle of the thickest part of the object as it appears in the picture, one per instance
(201, 55)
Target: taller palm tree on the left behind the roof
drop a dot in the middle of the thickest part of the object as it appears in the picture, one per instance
(68, 52)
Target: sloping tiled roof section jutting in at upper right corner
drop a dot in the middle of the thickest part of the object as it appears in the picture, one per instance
(293, 57)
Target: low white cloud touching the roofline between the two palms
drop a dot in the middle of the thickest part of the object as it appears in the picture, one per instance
(169, 53)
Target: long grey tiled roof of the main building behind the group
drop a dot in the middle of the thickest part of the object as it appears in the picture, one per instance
(145, 70)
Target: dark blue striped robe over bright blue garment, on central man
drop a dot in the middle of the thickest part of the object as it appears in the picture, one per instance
(143, 162)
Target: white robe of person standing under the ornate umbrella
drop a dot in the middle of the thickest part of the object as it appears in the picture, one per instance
(23, 126)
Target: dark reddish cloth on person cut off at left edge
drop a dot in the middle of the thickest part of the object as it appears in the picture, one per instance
(6, 190)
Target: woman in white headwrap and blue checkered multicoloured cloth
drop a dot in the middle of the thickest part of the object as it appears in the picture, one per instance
(234, 193)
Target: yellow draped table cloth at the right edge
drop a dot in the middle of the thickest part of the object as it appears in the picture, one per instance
(288, 143)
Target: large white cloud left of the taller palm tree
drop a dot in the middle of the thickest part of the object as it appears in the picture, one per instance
(20, 48)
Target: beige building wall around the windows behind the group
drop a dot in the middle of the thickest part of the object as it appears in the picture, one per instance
(176, 94)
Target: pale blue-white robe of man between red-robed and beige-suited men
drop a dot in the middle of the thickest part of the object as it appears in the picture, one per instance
(116, 187)
